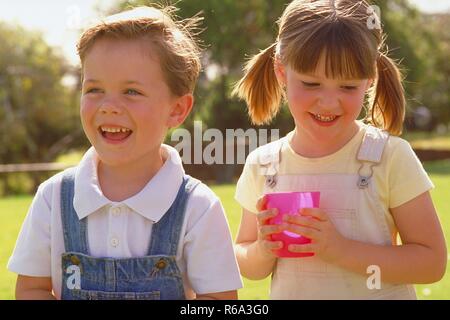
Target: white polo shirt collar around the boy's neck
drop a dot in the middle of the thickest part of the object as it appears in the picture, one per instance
(152, 202)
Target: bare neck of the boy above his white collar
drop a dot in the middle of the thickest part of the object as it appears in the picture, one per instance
(124, 181)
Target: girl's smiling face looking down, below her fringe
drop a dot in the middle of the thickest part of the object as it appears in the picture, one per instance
(324, 109)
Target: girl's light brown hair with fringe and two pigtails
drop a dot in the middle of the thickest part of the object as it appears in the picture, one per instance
(339, 31)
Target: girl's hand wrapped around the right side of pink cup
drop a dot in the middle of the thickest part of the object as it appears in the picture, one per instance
(326, 242)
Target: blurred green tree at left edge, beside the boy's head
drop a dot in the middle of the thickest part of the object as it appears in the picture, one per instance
(36, 109)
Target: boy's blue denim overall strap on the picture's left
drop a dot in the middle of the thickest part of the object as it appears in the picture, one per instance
(74, 230)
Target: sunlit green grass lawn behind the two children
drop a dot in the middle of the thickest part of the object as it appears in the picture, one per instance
(13, 210)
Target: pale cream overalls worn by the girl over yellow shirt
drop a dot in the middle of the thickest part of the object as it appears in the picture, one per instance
(352, 203)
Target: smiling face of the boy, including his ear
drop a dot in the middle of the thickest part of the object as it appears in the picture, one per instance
(126, 104)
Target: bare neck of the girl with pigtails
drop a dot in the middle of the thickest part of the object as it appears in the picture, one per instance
(309, 147)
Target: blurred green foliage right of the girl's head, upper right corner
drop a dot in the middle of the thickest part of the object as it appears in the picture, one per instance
(421, 43)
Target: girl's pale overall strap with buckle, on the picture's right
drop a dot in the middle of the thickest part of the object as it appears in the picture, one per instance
(370, 153)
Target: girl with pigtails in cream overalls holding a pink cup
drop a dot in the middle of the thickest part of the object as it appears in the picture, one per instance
(327, 56)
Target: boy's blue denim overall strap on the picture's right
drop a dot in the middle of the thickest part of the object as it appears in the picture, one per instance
(167, 231)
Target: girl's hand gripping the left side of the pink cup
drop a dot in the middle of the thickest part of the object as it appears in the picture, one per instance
(265, 230)
